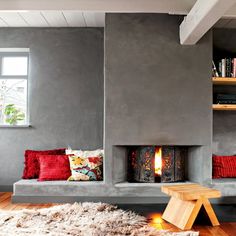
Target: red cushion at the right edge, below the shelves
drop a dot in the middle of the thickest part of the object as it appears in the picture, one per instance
(224, 167)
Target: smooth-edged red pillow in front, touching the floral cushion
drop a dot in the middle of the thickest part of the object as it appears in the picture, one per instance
(54, 167)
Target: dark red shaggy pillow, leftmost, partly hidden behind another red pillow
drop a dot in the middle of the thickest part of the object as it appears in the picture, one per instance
(31, 170)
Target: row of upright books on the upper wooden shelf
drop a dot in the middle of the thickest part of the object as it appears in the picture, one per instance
(225, 67)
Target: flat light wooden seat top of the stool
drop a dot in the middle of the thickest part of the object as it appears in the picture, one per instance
(190, 191)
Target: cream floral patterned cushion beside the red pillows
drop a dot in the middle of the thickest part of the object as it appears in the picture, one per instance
(88, 168)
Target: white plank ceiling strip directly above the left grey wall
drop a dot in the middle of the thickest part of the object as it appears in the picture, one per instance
(52, 19)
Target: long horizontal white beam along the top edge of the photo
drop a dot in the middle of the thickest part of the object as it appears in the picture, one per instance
(160, 6)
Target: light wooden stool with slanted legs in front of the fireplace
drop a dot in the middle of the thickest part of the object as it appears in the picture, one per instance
(185, 204)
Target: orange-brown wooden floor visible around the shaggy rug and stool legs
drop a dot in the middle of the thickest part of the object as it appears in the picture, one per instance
(225, 229)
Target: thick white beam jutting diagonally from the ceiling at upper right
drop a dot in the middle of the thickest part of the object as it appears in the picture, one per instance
(203, 15)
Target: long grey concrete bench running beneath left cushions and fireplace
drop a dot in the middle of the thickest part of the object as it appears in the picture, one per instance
(33, 191)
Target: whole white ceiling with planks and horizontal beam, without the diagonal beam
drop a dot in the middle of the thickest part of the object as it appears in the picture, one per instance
(90, 13)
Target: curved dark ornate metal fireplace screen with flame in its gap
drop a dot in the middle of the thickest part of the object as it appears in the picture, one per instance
(155, 164)
